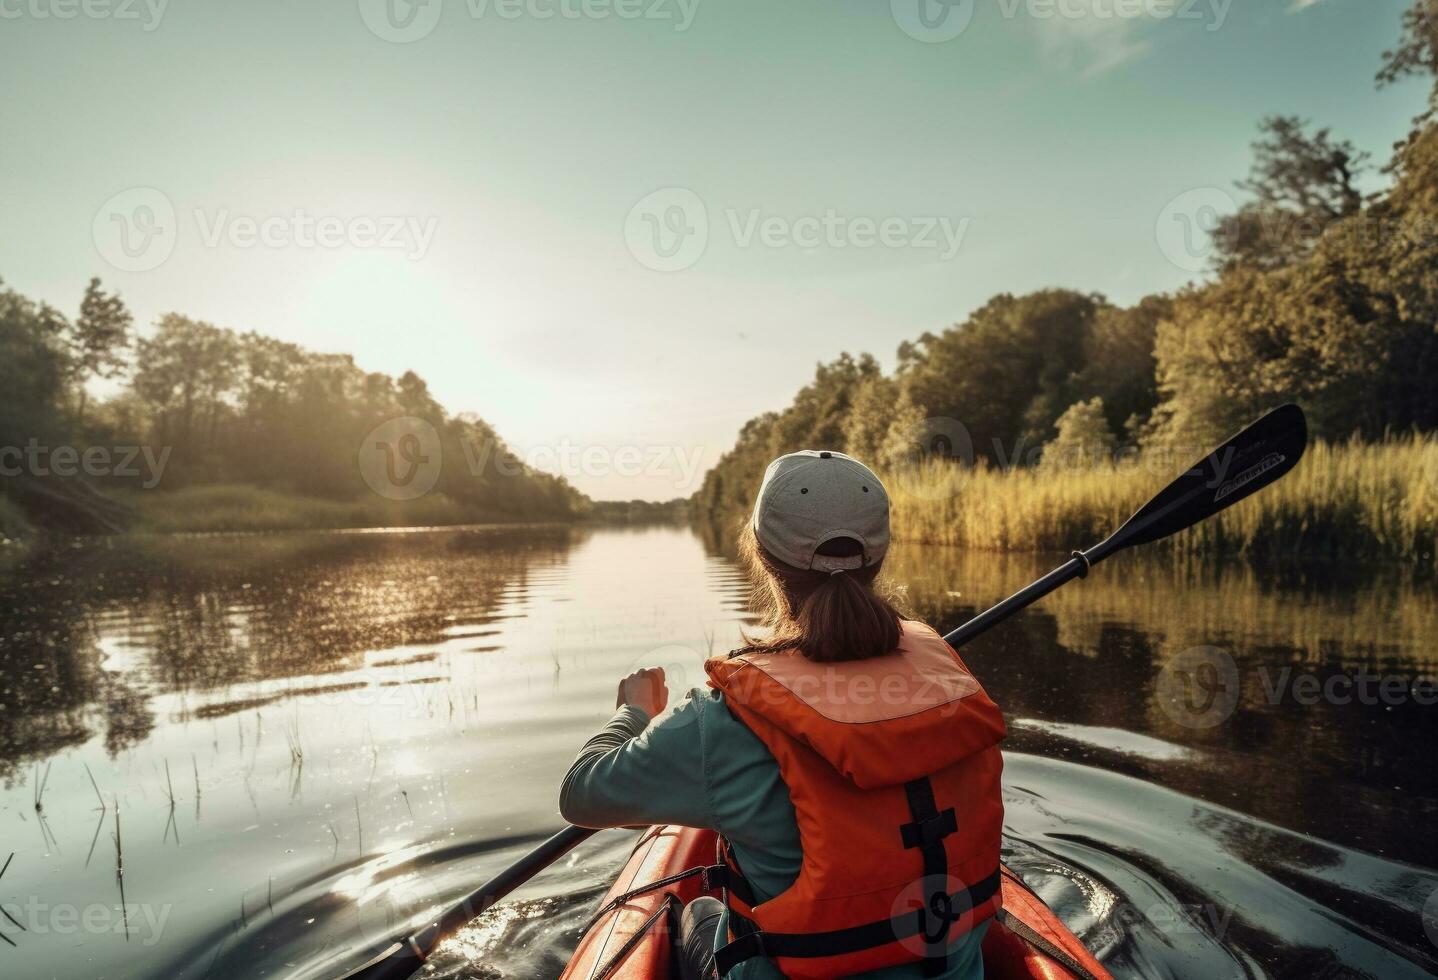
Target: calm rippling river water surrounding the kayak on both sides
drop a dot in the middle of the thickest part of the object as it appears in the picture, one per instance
(298, 745)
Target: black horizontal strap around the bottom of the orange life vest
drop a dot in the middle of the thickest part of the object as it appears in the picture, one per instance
(751, 942)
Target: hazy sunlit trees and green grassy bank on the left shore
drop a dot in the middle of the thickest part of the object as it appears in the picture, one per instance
(239, 409)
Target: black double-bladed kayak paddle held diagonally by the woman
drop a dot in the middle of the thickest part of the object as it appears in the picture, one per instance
(1237, 469)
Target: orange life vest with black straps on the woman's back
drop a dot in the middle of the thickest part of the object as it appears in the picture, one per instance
(894, 769)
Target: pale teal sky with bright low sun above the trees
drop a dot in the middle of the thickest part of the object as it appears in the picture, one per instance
(619, 229)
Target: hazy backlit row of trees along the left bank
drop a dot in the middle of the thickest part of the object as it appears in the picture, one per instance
(214, 406)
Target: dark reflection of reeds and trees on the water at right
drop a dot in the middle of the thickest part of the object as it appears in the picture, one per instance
(1082, 678)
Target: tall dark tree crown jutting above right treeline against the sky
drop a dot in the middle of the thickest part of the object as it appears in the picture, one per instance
(1301, 185)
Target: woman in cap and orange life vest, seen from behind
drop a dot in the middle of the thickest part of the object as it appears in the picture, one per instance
(849, 761)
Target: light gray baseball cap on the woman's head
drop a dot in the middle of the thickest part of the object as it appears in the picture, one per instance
(815, 496)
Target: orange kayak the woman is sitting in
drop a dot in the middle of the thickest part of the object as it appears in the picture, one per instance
(633, 940)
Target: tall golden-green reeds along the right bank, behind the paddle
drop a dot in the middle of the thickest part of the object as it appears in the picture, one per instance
(1348, 501)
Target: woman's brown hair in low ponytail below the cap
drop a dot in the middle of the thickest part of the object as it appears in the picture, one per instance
(825, 617)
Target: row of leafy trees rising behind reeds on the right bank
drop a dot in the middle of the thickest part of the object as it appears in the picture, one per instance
(1321, 295)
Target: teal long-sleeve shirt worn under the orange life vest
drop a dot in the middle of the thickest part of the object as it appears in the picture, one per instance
(700, 767)
